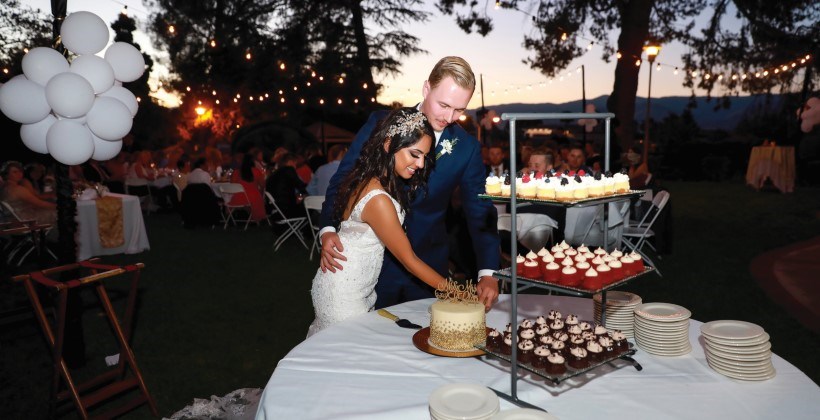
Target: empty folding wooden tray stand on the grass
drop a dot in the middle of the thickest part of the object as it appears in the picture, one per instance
(112, 382)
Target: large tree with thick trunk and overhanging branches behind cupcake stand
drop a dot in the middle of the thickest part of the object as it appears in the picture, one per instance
(561, 24)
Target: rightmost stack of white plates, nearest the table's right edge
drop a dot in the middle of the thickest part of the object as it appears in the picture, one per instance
(738, 349)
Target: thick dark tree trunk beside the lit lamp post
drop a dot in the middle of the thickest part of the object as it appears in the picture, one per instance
(634, 31)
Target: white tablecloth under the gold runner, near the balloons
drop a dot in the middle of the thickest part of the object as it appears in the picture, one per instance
(88, 235)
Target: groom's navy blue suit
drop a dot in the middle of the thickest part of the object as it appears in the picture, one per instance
(425, 219)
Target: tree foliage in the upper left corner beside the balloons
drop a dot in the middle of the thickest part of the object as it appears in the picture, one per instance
(21, 27)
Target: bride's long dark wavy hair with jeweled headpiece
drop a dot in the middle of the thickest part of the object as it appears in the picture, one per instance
(376, 162)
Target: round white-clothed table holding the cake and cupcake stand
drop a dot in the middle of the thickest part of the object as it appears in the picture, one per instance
(368, 368)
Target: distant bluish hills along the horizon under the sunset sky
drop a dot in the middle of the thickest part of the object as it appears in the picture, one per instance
(703, 113)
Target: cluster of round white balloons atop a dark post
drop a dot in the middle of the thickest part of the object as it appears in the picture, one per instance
(75, 111)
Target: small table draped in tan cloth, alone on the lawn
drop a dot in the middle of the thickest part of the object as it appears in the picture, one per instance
(772, 162)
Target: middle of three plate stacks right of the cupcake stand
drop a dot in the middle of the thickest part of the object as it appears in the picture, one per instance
(662, 329)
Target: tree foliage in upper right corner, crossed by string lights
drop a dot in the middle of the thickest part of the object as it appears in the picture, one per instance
(772, 37)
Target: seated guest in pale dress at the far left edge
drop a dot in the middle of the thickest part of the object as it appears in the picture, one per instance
(25, 204)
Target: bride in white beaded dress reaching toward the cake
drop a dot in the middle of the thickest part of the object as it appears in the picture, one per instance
(392, 168)
